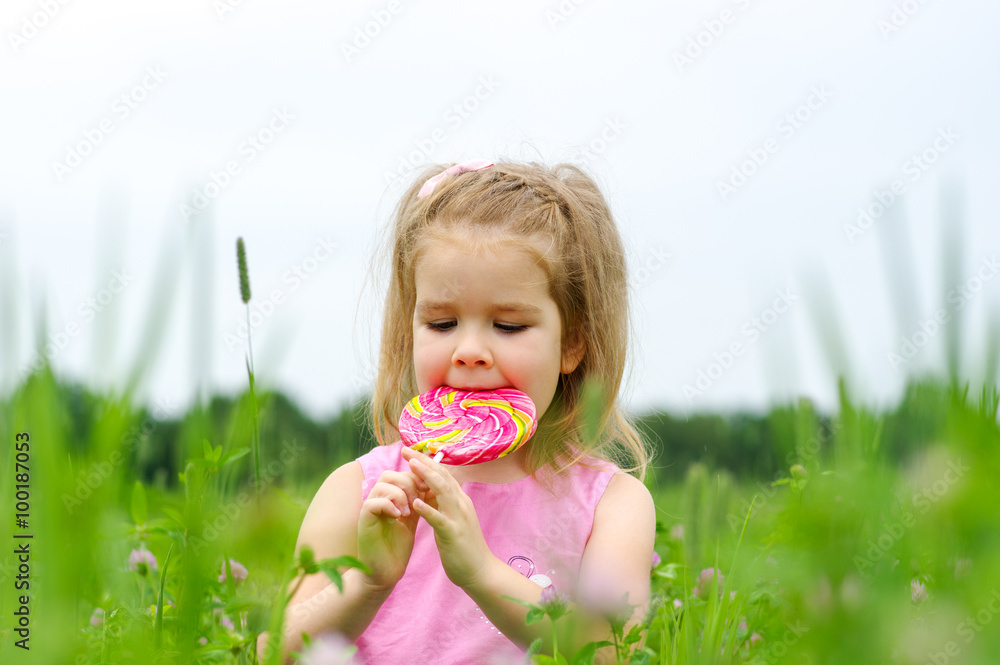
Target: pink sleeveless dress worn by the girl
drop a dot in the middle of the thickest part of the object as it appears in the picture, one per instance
(428, 619)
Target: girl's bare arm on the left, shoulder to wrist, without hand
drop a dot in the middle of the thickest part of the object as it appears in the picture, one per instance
(330, 528)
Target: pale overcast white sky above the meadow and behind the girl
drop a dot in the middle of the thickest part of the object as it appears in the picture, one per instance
(115, 113)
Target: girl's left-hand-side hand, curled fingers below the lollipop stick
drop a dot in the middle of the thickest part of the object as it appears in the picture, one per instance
(386, 526)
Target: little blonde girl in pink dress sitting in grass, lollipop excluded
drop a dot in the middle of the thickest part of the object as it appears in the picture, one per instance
(503, 276)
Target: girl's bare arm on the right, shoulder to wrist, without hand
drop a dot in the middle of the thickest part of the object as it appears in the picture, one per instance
(618, 556)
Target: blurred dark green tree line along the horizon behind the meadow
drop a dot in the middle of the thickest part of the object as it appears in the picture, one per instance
(749, 446)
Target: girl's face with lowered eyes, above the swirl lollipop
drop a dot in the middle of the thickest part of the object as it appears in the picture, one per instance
(485, 320)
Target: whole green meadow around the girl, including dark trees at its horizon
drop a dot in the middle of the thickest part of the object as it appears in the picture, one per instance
(860, 536)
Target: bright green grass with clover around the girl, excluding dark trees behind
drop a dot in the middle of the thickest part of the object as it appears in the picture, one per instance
(857, 557)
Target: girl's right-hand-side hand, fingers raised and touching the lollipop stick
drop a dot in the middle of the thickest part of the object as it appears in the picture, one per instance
(464, 552)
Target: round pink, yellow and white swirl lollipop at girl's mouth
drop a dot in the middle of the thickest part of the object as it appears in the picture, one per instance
(467, 427)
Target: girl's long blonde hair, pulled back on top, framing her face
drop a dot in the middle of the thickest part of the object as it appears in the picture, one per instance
(585, 265)
